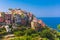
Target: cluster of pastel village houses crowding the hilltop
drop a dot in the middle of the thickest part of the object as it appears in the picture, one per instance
(18, 17)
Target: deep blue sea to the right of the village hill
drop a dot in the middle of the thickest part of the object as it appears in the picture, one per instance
(51, 21)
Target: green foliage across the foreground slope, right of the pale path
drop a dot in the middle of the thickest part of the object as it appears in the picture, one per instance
(30, 34)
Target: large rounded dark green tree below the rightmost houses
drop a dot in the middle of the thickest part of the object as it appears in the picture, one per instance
(47, 34)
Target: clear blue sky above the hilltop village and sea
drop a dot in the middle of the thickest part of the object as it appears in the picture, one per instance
(40, 8)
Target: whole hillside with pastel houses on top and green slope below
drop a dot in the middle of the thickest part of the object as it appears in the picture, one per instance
(17, 24)
